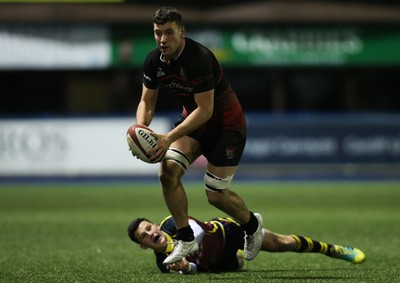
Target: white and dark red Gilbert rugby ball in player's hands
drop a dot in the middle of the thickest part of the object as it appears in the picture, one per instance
(140, 141)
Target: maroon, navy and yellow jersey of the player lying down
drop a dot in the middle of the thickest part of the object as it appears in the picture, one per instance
(222, 238)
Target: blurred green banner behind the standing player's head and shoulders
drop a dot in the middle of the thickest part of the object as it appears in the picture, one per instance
(276, 46)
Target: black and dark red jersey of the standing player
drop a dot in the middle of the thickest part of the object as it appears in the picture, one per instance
(196, 70)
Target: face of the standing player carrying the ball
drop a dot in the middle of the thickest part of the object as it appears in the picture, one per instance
(169, 38)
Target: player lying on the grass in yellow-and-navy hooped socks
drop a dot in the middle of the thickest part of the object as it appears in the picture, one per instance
(221, 245)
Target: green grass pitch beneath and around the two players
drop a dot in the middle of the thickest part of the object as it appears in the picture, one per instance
(77, 232)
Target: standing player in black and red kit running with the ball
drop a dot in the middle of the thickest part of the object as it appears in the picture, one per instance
(212, 124)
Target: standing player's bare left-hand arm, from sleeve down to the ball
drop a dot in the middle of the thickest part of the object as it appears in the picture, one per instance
(147, 106)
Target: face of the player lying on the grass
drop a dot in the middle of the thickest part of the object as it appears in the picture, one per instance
(151, 236)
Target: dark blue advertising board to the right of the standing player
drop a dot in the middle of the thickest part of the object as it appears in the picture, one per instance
(318, 138)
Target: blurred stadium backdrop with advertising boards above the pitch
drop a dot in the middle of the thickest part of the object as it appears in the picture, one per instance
(319, 81)
